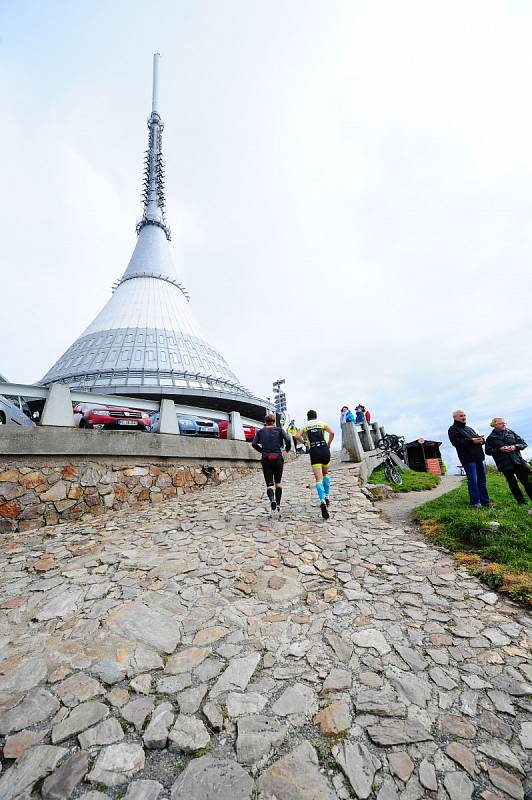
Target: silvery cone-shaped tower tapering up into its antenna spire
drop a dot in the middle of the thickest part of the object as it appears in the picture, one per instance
(146, 340)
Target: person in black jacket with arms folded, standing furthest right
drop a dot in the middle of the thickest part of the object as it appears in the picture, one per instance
(505, 446)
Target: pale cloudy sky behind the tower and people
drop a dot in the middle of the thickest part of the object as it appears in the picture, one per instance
(348, 185)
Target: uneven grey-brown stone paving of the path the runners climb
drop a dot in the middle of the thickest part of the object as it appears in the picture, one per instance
(200, 649)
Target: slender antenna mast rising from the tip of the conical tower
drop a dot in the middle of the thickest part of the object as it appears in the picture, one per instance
(153, 184)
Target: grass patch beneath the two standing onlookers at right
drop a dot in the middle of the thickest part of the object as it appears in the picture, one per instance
(501, 554)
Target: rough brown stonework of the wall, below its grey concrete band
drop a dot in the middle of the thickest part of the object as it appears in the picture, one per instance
(39, 492)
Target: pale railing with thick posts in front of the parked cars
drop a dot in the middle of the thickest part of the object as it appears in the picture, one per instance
(60, 399)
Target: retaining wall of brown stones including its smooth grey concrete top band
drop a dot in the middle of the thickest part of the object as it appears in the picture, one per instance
(50, 475)
